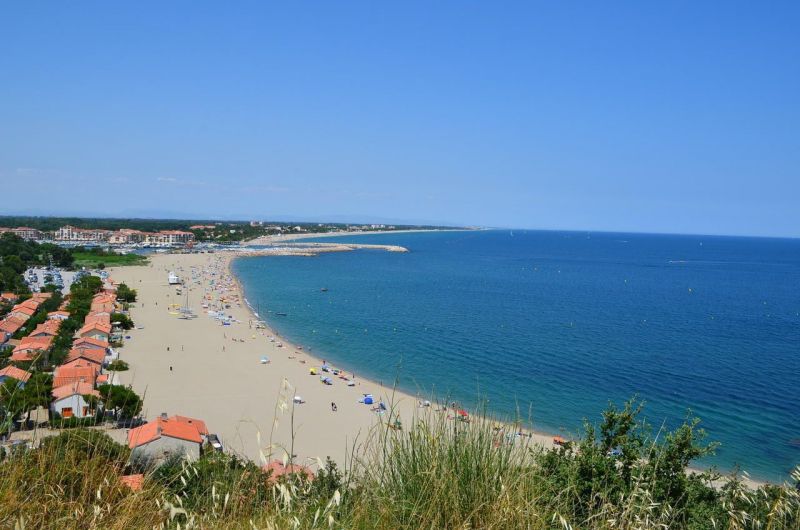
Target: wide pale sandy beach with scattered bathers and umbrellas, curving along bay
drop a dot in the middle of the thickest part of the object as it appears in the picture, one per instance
(202, 368)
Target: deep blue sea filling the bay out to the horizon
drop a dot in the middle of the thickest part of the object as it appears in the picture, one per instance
(554, 325)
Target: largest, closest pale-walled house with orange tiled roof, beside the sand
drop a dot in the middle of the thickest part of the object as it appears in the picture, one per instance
(162, 437)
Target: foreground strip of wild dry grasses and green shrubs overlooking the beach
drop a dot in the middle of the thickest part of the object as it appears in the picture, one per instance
(436, 473)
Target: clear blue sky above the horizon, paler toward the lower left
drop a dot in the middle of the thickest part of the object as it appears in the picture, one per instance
(640, 116)
